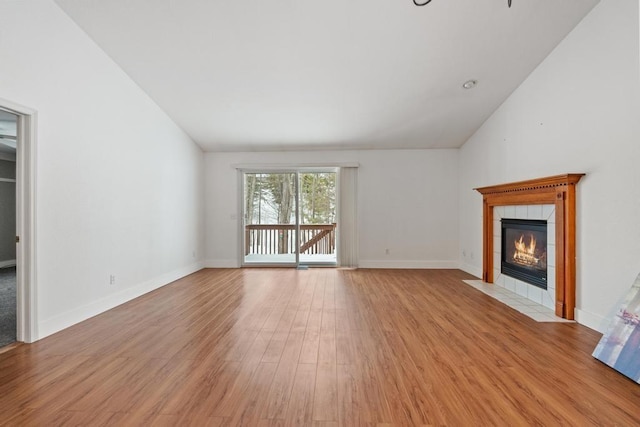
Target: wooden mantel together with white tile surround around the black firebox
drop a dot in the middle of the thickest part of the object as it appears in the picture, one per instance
(555, 196)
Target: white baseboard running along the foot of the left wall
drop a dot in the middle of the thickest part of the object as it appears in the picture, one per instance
(64, 320)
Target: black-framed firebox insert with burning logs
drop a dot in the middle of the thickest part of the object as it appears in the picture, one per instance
(524, 250)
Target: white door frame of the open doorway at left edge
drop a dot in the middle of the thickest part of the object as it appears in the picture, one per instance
(26, 277)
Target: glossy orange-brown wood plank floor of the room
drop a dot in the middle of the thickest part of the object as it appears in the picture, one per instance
(318, 347)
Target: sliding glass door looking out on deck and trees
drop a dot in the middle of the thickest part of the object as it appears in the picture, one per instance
(290, 218)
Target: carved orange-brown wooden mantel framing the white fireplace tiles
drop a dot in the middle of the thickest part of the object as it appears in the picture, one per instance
(559, 190)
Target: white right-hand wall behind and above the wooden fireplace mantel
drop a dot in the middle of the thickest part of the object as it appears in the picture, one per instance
(579, 111)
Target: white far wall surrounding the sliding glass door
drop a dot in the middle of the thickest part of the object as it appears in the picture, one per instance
(407, 202)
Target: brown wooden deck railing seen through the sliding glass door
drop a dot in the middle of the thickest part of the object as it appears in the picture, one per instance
(268, 239)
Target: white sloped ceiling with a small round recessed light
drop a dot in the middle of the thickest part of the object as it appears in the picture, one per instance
(330, 74)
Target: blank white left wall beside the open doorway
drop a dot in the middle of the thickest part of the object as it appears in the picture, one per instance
(119, 185)
